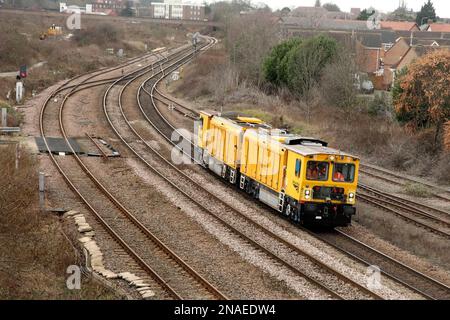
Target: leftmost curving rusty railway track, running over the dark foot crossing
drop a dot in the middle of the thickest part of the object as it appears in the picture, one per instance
(168, 274)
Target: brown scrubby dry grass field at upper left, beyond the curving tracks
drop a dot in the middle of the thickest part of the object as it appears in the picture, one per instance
(86, 51)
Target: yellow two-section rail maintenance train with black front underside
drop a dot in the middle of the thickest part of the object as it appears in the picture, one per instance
(299, 177)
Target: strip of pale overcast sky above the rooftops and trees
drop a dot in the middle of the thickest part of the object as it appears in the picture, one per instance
(442, 6)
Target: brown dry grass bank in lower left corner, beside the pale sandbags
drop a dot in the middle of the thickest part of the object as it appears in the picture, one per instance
(34, 254)
